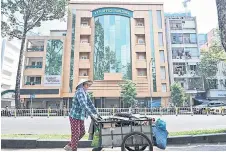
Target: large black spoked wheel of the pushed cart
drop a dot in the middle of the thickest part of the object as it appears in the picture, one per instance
(129, 147)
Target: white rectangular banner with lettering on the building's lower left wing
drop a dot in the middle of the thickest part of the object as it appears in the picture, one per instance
(52, 80)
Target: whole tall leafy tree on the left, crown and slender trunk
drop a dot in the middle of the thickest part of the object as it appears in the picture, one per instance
(22, 16)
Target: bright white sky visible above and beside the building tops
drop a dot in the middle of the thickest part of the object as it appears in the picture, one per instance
(206, 16)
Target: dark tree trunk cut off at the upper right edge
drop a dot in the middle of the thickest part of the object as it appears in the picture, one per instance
(221, 9)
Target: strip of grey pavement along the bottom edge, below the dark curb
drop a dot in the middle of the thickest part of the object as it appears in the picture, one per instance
(203, 147)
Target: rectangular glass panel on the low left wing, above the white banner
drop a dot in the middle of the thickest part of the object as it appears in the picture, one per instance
(54, 52)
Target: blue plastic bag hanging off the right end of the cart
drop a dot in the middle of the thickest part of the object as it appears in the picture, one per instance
(160, 134)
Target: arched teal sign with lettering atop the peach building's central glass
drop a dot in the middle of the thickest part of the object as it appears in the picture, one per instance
(112, 11)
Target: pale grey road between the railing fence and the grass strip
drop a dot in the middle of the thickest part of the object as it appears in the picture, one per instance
(60, 125)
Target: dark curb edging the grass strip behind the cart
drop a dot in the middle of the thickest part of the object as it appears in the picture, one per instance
(38, 143)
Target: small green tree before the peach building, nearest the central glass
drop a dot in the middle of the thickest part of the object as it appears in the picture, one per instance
(128, 92)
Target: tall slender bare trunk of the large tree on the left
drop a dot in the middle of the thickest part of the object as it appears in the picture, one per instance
(18, 76)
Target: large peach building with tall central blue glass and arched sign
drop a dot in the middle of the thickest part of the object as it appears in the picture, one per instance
(105, 42)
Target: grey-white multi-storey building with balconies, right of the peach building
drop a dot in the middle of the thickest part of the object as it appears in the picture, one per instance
(183, 53)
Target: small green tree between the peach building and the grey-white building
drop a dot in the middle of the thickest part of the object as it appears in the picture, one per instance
(177, 94)
